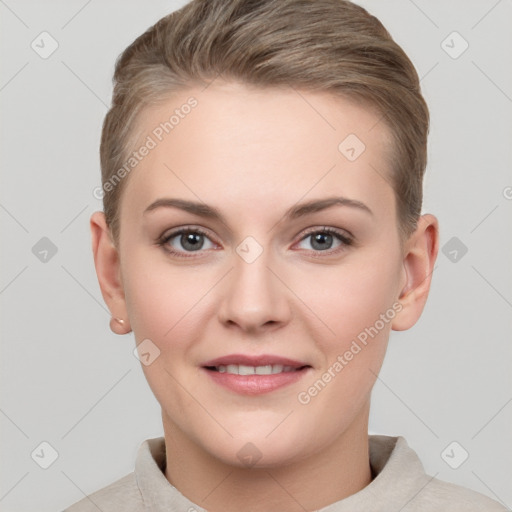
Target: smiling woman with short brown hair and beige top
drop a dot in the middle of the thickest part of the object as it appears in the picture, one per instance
(262, 234)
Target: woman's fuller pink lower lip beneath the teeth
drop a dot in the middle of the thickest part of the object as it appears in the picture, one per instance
(256, 384)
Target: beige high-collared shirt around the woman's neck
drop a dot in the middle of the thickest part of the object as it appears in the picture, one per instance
(400, 484)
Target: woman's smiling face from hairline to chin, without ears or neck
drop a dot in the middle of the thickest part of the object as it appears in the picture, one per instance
(252, 242)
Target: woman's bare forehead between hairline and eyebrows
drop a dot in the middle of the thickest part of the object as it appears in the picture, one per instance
(245, 145)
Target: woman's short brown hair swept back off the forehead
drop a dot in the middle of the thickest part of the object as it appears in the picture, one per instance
(318, 45)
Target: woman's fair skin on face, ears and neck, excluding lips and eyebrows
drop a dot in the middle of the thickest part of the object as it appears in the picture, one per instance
(253, 154)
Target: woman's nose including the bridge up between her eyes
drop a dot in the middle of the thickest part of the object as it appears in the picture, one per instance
(253, 296)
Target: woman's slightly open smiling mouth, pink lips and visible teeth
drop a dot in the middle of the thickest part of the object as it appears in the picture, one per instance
(254, 375)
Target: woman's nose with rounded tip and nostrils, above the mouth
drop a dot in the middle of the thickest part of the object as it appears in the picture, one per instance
(254, 296)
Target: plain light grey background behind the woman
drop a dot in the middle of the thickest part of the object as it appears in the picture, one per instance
(67, 380)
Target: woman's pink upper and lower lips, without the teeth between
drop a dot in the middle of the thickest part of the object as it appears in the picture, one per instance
(255, 384)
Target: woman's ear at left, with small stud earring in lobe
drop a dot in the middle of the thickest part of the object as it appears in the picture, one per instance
(108, 270)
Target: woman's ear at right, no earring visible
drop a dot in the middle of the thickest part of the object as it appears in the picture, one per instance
(420, 253)
